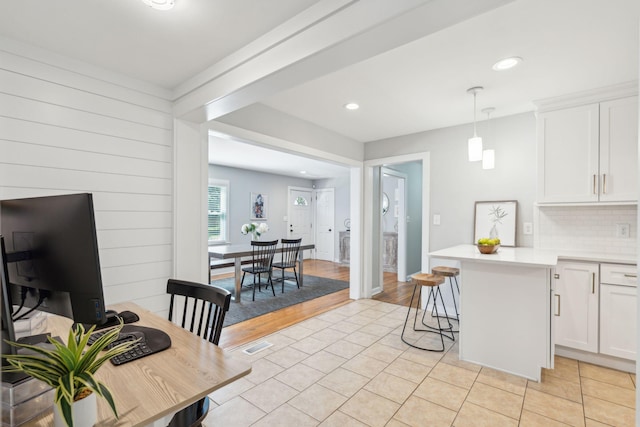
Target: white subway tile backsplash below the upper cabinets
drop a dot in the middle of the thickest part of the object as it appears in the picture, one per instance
(586, 228)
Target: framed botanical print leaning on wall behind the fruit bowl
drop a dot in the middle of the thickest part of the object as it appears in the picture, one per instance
(496, 219)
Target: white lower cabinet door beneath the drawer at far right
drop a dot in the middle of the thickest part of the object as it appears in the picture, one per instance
(618, 311)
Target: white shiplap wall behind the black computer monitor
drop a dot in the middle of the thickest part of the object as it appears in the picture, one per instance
(67, 128)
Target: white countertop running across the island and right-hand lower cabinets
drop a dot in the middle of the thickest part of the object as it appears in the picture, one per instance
(529, 256)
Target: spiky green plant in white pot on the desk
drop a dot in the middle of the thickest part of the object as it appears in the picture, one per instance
(70, 369)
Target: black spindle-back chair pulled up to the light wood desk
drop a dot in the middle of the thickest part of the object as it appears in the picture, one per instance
(198, 300)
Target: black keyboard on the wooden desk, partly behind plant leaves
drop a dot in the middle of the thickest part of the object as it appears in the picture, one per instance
(150, 341)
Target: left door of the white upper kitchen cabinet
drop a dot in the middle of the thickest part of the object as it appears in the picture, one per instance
(568, 155)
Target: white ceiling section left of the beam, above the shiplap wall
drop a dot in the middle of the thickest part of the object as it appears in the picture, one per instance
(128, 37)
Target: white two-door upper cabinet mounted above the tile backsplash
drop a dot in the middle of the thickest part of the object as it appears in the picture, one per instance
(588, 153)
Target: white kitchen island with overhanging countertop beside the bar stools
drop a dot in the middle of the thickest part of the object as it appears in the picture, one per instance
(506, 308)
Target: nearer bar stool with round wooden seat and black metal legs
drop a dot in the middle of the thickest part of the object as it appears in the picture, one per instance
(433, 282)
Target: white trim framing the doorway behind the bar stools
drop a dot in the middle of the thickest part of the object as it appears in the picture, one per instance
(372, 276)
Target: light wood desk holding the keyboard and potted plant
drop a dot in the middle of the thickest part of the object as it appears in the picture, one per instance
(161, 384)
